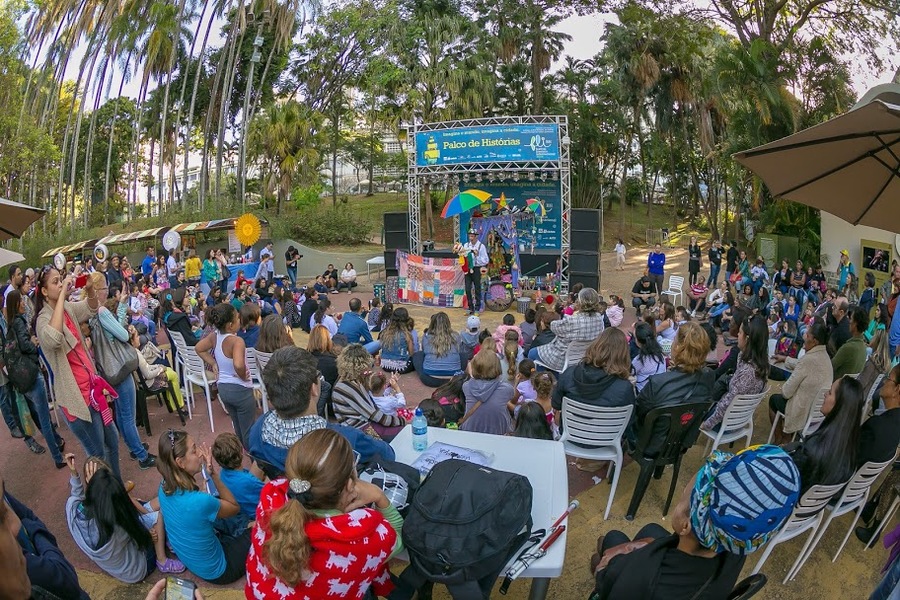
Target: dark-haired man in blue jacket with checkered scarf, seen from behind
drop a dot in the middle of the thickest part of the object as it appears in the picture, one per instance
(292, 387)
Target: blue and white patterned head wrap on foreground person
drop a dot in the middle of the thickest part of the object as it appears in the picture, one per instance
(740, 499)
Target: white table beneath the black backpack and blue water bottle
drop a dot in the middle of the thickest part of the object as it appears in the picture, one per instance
(542, 462)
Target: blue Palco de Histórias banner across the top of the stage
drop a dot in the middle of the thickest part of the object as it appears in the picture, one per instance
(490, 143)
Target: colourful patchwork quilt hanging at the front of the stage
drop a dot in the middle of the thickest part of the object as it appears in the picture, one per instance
(430, 281)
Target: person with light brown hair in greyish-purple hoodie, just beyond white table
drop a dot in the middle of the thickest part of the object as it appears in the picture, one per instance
(487, 394)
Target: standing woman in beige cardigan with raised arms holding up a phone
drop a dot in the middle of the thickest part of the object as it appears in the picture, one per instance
(57, 326)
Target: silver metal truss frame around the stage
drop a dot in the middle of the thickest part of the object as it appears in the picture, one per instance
(560, 169)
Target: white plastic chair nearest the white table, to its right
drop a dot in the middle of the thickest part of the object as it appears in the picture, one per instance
(595, 433)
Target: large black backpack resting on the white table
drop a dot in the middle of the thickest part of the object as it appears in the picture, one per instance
(464, 524)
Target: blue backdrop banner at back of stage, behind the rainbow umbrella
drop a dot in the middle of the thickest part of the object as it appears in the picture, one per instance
(541, 232)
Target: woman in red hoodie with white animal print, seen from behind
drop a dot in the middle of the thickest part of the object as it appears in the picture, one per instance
(316, 530)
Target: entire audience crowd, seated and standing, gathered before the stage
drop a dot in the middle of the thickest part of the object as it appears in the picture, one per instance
(279, 503)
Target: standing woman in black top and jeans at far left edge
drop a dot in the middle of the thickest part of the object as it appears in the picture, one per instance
(36, 395)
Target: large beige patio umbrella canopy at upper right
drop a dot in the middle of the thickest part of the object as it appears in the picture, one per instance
(848, 166)
